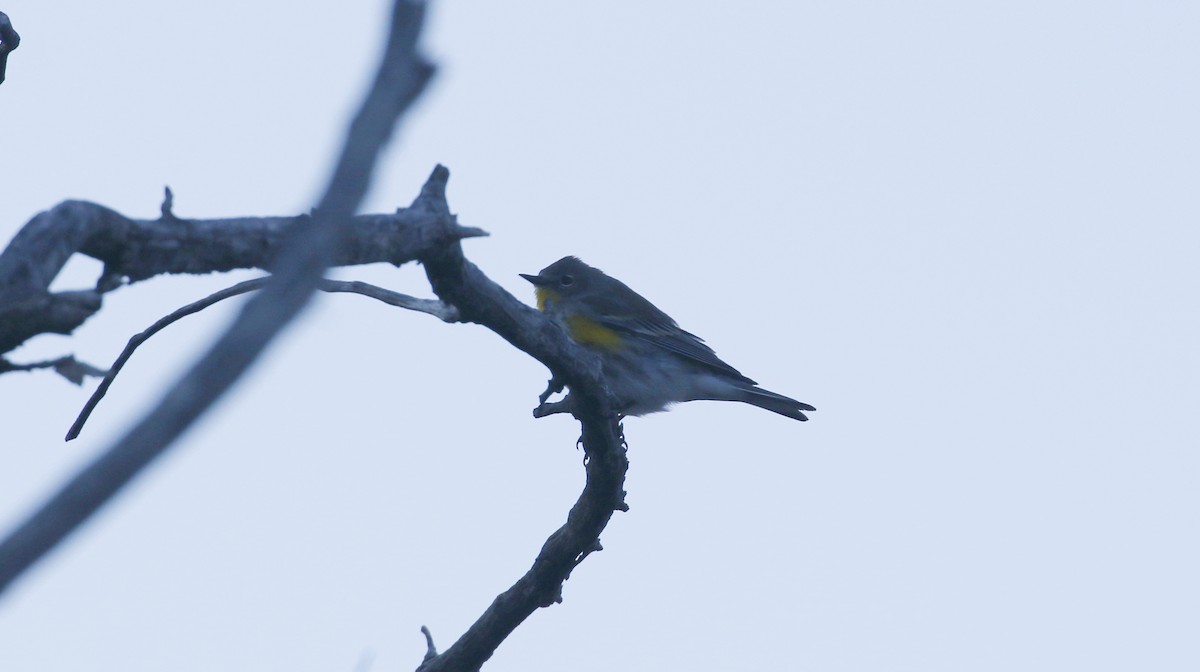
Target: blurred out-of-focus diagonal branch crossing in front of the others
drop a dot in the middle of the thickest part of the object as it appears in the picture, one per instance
(308, 254)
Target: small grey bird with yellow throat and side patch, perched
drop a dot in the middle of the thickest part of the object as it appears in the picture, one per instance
(649, 362)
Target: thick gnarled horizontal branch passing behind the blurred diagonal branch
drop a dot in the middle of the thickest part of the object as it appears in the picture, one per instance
(143, 249)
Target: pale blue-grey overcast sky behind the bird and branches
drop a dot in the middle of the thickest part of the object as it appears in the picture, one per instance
(967, 232)
